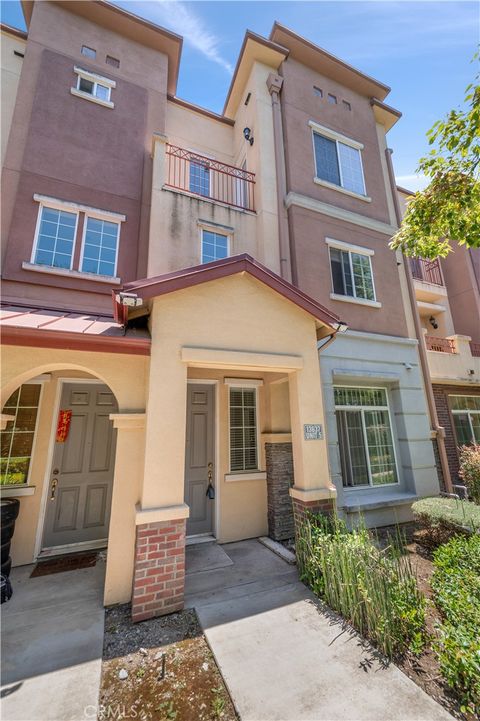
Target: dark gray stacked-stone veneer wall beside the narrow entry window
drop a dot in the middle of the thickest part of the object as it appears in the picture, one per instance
(279, 465)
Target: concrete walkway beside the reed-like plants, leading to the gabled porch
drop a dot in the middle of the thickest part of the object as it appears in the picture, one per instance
(284, 658)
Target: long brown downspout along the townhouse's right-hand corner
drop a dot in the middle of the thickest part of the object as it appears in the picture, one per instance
(438, 430)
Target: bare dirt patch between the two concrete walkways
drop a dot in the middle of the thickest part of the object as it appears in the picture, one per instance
(160, 670)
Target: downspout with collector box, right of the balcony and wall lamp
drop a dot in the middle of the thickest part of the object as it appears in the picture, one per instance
(274, 85)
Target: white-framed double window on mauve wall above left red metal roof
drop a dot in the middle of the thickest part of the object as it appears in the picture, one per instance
(57, 238)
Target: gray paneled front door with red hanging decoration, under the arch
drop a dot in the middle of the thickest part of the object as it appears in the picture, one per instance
(81, 476)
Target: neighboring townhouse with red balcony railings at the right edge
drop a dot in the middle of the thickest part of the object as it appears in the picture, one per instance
(447, 292)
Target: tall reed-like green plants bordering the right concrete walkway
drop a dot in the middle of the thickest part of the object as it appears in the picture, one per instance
(374, 590)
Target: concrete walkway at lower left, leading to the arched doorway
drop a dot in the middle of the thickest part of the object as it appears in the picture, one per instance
(52, 642)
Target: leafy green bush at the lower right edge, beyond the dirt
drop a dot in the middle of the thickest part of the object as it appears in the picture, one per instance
(456, 588)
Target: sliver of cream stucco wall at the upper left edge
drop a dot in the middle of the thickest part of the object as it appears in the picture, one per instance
(11, 67)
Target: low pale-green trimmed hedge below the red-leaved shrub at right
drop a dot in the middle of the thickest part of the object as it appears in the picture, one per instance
(444, 517)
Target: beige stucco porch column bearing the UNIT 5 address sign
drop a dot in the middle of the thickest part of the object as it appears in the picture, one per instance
(312, 477)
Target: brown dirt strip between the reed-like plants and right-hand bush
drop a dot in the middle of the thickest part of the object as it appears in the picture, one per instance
(424, 669)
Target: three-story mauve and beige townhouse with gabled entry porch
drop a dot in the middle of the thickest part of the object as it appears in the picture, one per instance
(204, 331)
